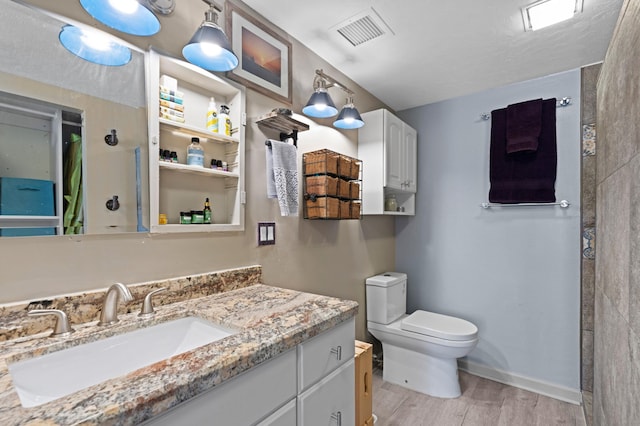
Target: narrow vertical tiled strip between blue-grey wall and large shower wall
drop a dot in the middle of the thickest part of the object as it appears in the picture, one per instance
(588, 202)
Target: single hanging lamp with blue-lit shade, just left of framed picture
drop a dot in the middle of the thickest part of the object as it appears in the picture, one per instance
(209, 48)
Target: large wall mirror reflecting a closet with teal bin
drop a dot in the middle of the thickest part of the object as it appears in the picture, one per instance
(55, 111)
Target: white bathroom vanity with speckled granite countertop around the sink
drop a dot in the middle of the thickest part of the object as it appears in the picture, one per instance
(289, 362)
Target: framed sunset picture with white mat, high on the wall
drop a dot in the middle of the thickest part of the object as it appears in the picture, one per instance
(265, 57)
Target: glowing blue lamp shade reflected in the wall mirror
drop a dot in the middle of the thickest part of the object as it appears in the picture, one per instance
(94, 47)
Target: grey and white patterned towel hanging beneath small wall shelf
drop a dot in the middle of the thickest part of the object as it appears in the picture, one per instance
(282, 176)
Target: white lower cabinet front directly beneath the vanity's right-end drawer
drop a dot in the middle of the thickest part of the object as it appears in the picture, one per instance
(331, 401)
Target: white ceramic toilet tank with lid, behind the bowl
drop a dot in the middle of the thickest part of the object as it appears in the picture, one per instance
(386, 297)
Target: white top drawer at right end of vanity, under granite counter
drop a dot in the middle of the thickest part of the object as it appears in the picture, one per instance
(324, 353)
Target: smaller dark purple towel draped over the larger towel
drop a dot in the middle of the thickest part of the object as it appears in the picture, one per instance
(524, 123)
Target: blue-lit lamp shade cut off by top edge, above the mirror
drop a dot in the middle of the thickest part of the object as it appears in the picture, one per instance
(128, 16)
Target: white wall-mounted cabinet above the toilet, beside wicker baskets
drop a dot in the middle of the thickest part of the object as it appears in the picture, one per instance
(388, 148)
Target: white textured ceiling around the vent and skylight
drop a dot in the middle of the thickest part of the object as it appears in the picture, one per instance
(444, 49)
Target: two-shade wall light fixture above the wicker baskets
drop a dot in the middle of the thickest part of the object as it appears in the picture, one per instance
(321, 105)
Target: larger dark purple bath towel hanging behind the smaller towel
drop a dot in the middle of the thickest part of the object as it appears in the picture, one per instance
(523, 177)
